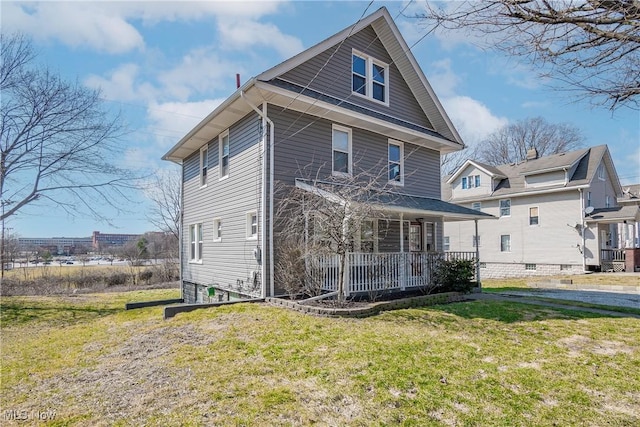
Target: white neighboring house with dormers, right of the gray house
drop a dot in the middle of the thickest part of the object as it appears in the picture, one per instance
(557, 214)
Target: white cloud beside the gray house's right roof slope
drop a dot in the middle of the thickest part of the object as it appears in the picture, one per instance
(473, 119)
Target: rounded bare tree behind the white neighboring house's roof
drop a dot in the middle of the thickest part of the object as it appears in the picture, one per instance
(510, 143)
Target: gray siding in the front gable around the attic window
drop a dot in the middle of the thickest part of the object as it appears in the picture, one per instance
(335, 78)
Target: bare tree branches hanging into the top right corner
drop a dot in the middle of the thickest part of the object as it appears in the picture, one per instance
(587, 45)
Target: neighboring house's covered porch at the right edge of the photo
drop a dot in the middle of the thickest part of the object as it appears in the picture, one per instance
(615, 235)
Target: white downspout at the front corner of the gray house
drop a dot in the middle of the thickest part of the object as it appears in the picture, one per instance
(263, 190)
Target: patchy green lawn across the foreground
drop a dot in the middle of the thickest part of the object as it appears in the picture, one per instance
(475, 363)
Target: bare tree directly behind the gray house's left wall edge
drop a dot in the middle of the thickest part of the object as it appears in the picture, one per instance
(164, 192)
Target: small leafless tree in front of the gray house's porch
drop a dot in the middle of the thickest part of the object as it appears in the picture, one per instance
(324, 217)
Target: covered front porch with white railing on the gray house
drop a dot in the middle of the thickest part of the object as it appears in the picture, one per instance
(398, 250)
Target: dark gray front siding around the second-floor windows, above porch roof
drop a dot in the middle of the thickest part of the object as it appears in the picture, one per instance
(303, 150)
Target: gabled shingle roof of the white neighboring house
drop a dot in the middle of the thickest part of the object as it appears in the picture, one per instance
(584, 164)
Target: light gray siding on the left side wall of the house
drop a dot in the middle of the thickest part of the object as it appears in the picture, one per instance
(229, 263)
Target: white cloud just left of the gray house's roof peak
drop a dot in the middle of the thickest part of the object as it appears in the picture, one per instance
(237, 34)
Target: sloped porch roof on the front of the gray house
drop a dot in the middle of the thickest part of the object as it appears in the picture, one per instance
(389, 201)
